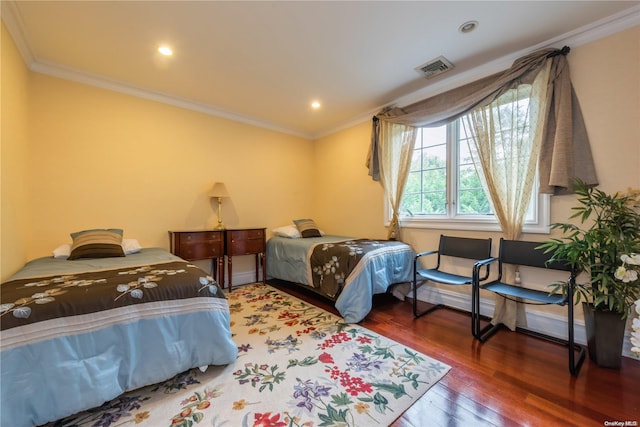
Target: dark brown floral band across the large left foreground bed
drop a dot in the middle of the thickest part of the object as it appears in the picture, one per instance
(32, 300)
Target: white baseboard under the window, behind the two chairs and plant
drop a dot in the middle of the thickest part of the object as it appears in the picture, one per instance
(537, 321)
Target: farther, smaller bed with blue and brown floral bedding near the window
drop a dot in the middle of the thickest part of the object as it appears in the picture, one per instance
(346, 270)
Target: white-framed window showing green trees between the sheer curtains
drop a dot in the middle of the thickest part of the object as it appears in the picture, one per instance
(444, 190)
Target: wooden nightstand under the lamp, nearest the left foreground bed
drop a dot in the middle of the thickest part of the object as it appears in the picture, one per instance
(197, 245)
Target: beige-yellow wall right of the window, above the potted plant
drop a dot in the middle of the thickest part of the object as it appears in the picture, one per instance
(606, 75)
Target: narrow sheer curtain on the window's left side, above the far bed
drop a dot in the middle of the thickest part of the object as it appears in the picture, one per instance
(394, 152)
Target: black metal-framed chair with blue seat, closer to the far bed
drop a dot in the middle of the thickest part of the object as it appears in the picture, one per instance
(458, 247)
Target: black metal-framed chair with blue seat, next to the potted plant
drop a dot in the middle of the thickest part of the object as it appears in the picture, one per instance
(523, 253)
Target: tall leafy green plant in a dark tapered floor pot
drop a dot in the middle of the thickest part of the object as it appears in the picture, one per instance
(603, 247)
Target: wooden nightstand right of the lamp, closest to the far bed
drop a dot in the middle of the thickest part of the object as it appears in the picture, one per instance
(245, 241)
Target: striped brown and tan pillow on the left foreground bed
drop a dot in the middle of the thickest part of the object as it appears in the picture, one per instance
(99, 243)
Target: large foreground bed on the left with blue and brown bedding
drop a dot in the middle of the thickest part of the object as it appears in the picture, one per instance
(75, 334)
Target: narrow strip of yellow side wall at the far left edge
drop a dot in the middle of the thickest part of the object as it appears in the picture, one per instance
(15, 215)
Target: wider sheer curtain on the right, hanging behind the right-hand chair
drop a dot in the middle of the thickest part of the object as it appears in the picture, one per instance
(505, 139)
